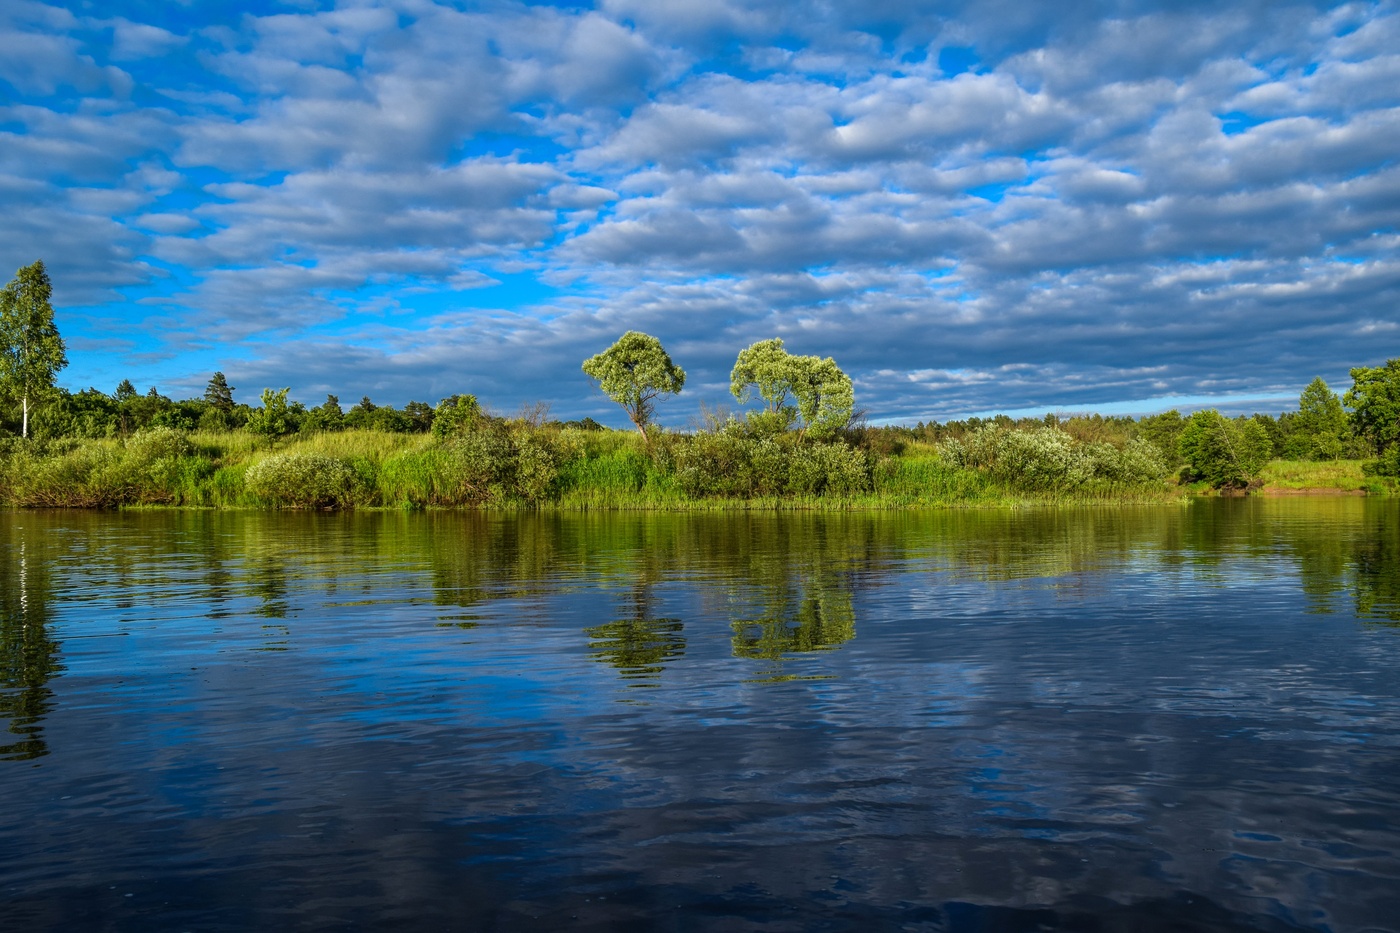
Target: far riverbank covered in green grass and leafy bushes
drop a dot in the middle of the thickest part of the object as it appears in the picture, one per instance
(531, 467)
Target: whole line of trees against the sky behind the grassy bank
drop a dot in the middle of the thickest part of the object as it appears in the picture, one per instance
(806, 396)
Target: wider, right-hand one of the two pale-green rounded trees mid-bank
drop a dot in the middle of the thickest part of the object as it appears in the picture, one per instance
(824, 394)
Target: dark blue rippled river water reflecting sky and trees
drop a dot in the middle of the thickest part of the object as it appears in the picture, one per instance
(1118, 719)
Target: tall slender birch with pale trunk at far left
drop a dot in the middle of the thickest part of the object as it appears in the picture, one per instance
(31, 351)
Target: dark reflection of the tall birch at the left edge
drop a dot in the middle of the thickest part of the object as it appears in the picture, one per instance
(29, 656)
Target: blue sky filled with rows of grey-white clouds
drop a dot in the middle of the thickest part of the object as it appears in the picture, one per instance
(974, 208)
